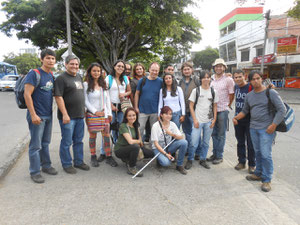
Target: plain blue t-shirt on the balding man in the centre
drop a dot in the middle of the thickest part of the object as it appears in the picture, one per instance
(148, 101)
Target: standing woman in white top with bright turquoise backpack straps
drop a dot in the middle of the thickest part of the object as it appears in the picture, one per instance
(119, 88)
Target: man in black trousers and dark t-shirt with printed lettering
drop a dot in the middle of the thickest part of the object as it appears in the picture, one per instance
(242, 129)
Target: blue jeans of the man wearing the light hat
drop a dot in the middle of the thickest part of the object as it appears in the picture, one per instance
(219, 134)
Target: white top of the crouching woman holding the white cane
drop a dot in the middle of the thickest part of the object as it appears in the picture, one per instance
(157, 134)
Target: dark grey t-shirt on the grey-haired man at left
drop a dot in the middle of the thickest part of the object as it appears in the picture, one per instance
(71, 89)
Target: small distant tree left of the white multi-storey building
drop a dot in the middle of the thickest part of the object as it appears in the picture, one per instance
(205, 58)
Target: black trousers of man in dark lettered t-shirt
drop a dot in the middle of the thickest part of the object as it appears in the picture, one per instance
(242, 133)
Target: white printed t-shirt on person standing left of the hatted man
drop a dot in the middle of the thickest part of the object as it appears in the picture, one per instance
(203, 111)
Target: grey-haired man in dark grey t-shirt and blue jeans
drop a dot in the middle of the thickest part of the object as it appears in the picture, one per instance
(69, 96)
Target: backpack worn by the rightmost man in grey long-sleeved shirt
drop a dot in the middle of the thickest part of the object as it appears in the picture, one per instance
(289, 117)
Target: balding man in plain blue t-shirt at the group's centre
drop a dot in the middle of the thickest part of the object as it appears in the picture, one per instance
(147, 96)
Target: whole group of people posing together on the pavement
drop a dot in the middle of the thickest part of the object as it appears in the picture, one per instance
(159, 108)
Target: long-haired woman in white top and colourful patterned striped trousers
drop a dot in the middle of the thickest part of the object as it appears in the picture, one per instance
(97, 102)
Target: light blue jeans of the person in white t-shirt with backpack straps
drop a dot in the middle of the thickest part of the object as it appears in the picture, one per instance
(197, 141)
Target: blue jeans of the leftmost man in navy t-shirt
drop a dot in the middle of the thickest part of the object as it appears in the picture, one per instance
(39, 144)
